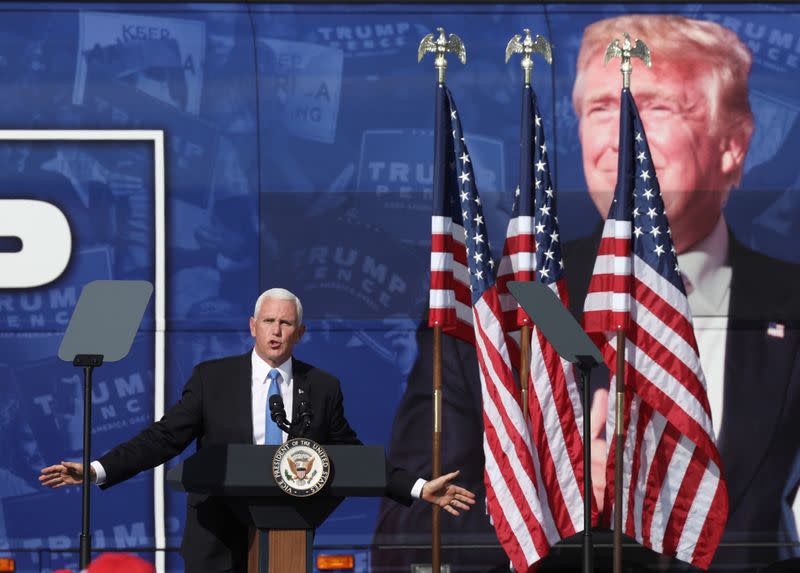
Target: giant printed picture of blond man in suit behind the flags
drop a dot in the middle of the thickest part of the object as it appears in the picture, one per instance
(695, 108)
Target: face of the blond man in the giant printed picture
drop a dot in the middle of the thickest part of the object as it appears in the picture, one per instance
(689, 154)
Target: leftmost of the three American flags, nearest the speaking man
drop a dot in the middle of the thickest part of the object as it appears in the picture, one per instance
(525, 527)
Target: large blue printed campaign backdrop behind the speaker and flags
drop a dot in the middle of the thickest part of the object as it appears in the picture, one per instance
(298, 153)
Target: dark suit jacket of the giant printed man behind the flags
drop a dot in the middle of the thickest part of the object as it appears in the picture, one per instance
(759, 439)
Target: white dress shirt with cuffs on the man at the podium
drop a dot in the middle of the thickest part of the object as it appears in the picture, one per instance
(260, 406)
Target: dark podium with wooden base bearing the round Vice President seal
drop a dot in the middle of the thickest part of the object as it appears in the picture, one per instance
(281, 526)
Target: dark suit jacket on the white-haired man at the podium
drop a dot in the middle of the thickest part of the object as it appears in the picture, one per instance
(215, 408)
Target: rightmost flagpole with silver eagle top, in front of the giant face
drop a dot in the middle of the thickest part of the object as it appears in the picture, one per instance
(624, 50)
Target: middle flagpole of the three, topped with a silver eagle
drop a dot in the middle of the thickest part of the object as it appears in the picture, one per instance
(526, 46)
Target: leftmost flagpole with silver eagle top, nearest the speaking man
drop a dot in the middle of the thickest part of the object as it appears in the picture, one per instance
(439, 46)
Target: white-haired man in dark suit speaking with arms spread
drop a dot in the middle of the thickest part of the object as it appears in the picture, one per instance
(225, 401)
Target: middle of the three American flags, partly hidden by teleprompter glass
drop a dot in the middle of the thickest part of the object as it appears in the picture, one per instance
(533, 251)
